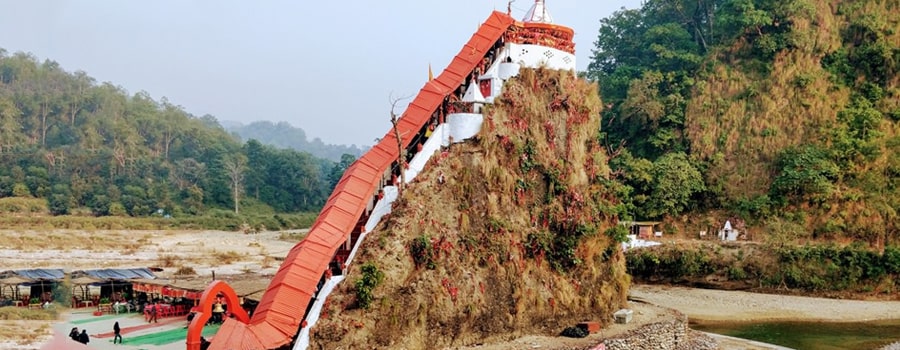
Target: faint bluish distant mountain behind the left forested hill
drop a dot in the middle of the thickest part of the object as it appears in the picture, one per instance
(284, 135)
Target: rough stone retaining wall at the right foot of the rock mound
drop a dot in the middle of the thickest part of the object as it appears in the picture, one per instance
(670, 334)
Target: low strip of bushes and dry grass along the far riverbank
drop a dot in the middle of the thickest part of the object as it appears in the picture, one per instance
(828, 270)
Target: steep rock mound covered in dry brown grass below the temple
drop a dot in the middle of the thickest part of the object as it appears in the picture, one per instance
(513, 240)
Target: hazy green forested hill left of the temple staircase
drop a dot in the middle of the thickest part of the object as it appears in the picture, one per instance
(91, 147)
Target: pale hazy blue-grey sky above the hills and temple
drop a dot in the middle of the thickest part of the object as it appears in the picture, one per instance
(328, 67)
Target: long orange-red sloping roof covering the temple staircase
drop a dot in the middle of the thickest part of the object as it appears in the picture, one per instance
(279, 313)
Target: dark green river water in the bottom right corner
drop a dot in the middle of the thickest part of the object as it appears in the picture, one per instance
(810, 335)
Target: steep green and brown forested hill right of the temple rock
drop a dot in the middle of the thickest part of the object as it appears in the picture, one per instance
(783, 113)
